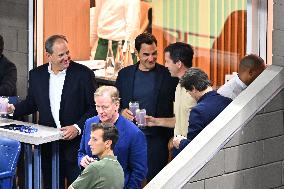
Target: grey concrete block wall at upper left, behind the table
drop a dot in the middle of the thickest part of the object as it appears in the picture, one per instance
(14, 29)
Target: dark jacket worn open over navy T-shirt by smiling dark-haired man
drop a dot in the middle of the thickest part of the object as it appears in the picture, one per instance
(163, 94)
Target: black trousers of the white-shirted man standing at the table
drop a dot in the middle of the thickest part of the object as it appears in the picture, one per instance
(67, 169)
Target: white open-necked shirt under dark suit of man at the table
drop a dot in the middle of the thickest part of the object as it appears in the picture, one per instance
(56, 82)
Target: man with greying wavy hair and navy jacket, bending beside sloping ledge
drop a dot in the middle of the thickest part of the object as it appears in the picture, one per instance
(209, 104)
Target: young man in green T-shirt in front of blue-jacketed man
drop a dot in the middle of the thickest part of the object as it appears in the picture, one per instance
(106, 173)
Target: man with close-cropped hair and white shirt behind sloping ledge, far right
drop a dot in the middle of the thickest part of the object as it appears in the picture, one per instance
(250, 67)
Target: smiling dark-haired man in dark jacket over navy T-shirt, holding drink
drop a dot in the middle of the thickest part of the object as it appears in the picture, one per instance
(153, 87)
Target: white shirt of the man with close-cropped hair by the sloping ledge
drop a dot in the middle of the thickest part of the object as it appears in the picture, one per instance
(232, 88)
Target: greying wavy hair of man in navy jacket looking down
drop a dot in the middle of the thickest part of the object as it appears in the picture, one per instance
(195, 77)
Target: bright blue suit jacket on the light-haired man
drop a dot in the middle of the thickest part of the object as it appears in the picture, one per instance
(130, 149)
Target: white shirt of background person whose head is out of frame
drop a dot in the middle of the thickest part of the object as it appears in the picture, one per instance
(117, 20)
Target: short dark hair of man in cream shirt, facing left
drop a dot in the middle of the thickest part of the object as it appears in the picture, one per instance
(180, 52)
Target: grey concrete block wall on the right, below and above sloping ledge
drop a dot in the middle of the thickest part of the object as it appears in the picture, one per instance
(254, 157)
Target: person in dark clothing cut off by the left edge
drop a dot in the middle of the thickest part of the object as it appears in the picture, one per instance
(8, 74)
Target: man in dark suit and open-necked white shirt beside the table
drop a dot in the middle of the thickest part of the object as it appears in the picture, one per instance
(62, 91)
